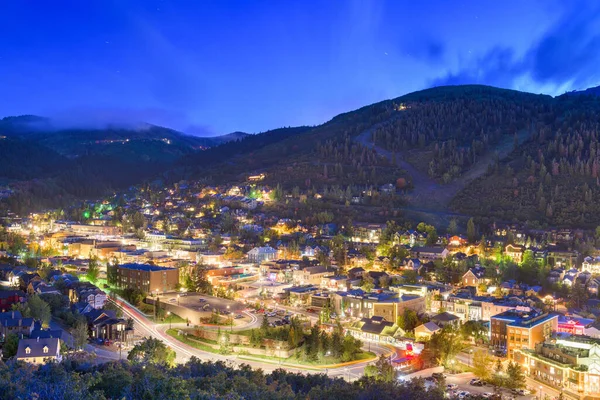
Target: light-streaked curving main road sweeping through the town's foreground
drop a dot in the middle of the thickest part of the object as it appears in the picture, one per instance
(145, 327)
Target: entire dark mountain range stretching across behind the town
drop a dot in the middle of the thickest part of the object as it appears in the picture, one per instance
(452, 151)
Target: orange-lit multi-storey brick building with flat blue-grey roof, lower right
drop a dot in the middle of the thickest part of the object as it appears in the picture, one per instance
(514, 329)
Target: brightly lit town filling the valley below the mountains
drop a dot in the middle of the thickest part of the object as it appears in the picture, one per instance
(230, 273)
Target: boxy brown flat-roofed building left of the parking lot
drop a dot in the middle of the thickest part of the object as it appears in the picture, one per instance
(148, 278)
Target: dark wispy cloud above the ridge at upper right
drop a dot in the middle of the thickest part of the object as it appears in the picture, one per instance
(566, 57)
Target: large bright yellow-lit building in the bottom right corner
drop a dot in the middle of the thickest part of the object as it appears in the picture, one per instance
(571, 365)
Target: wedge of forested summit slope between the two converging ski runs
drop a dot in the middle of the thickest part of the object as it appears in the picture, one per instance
(445, 135)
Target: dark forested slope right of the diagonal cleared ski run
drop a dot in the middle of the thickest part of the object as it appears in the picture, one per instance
(551, 179)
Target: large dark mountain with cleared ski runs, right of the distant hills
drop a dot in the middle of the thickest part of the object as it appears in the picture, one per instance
(455, 151)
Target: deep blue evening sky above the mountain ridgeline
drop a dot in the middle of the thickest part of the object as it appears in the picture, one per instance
(212, 67)
